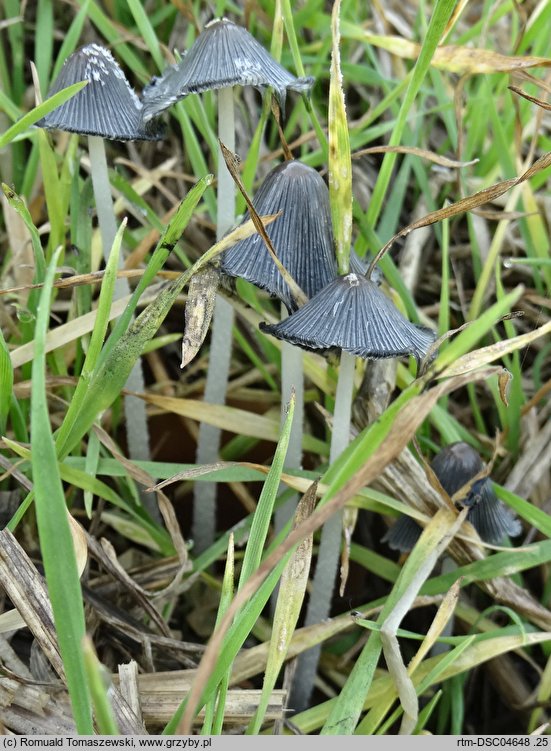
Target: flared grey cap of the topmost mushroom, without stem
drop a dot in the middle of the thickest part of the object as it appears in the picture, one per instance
(224, 54)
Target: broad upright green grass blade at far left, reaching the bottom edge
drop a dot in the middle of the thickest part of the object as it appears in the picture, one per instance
(53, 526)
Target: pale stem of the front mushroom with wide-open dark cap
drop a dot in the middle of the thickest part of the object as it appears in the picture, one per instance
(319, 605)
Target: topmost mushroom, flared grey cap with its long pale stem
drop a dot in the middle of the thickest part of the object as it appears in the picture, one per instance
(224, 55)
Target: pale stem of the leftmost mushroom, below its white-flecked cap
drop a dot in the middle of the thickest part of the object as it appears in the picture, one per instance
(137, 433)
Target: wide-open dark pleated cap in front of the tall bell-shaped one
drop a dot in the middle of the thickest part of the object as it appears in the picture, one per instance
(354, 314)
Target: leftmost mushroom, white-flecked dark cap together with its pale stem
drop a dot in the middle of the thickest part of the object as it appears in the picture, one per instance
(107, 108)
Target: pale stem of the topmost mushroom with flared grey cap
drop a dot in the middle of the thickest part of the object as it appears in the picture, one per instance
(208, 445)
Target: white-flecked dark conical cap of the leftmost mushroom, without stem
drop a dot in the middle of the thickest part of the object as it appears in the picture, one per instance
(107, 106)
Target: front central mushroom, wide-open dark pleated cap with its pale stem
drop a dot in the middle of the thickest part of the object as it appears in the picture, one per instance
(353, 314)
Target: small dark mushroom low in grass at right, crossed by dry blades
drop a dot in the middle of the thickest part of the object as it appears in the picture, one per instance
(455, 466)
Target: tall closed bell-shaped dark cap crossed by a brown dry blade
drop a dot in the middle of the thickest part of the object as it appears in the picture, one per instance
(302, 237)
